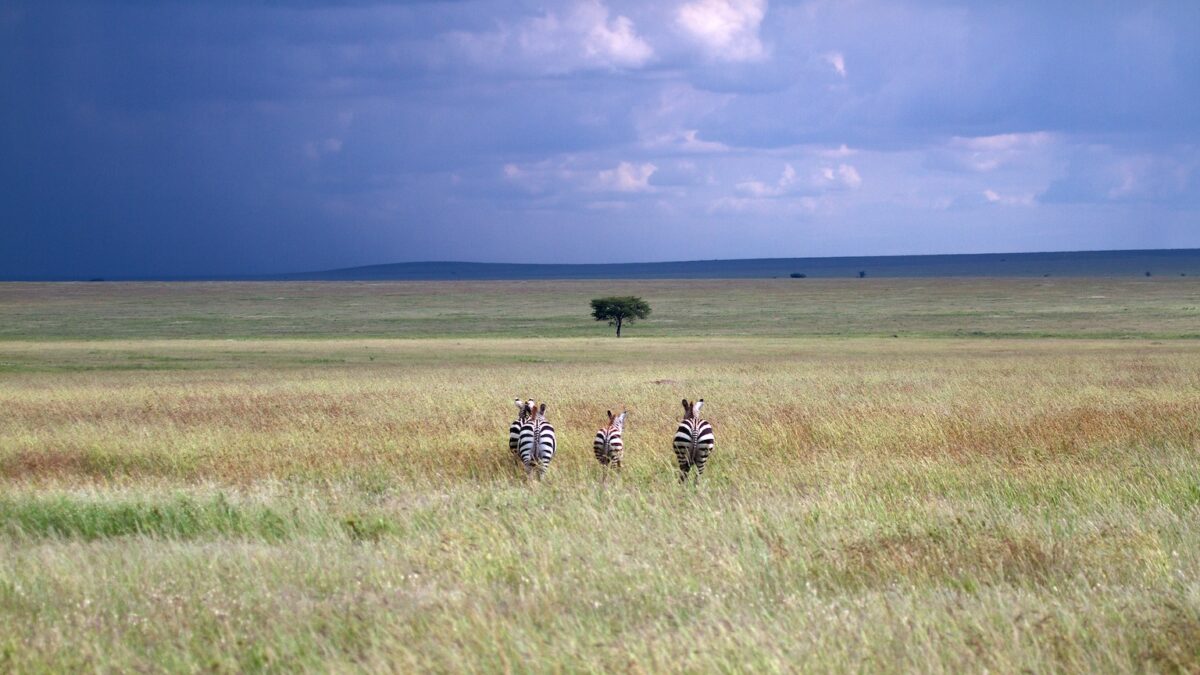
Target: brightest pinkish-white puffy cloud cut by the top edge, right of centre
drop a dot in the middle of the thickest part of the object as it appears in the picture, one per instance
(727, 29)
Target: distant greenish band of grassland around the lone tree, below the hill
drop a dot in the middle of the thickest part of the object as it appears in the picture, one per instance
(1000, 308)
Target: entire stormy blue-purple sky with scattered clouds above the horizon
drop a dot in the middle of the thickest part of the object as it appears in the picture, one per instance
(225, 138)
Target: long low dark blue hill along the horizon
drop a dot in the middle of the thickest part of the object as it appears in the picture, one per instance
(1172, 262)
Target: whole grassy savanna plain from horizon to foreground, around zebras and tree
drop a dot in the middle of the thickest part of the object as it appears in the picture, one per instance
(910, 476)
